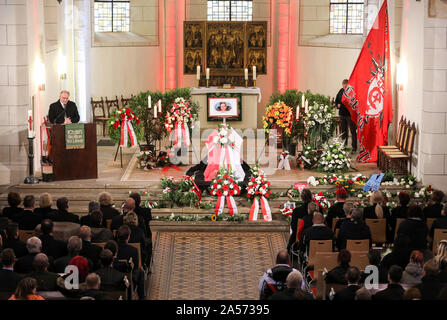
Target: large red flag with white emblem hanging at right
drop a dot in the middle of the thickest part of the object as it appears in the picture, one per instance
(368, 96)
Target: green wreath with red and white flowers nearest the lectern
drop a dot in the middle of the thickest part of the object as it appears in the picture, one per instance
(117, 118)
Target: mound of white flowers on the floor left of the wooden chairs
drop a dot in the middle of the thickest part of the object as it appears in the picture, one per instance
(334, 158)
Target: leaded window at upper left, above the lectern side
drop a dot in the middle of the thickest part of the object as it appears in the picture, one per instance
(112, 16)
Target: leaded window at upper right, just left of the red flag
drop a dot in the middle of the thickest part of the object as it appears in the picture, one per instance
(346, 16)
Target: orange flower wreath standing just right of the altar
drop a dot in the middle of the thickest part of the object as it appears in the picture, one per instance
(280, 114)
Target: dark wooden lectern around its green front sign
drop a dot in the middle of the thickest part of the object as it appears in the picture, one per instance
(73, 164)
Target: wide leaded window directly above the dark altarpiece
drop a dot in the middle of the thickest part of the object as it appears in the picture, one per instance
(223, 10)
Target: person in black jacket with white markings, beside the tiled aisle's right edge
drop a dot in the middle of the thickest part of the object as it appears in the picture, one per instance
(274, 279)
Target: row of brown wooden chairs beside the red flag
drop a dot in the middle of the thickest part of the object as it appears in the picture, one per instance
(397, 158)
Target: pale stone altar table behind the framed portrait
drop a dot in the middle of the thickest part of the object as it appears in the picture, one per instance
(249, 106)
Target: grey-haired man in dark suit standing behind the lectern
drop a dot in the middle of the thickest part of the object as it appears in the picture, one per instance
(63, 111)
